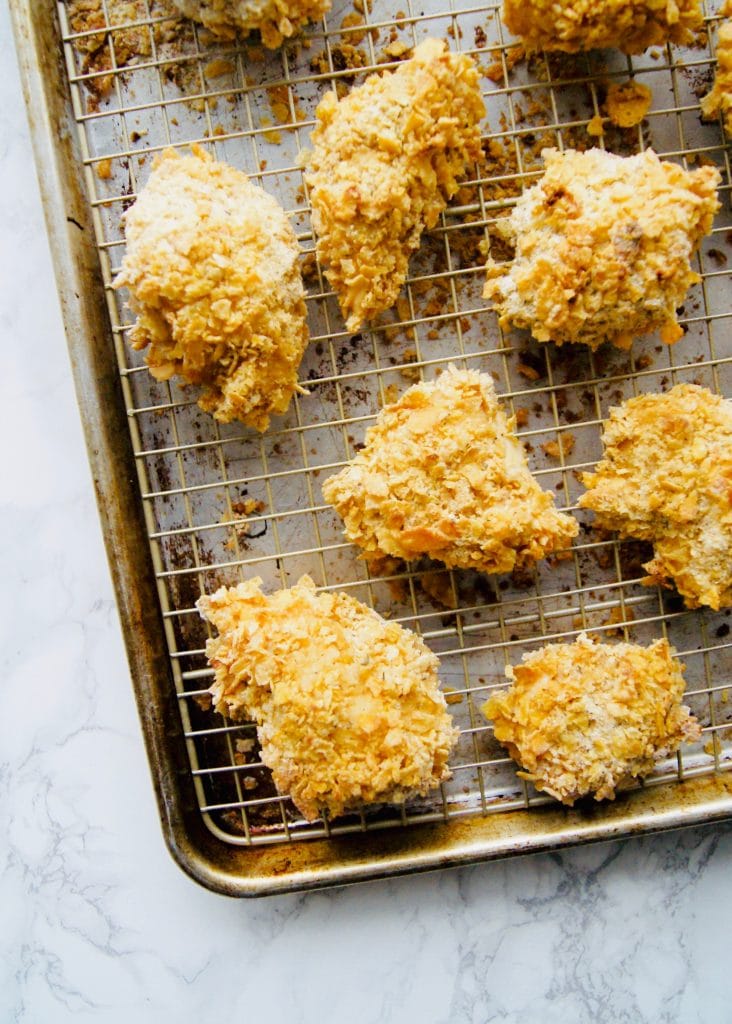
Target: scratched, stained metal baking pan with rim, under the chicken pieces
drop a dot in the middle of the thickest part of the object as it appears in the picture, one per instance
(189, 505)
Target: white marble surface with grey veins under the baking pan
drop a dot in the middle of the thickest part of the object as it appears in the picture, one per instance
(96, 920)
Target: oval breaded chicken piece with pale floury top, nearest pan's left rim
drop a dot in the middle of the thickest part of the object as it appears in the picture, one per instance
(213, 275)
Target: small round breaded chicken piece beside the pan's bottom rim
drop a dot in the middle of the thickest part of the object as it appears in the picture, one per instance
(585, 718)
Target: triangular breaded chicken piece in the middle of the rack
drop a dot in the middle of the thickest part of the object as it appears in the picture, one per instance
(444, 475)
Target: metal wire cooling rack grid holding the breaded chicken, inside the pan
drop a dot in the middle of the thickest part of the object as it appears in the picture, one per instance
(223, 504)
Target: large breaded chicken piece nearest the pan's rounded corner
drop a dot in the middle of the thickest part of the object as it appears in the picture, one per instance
(348, 706)
